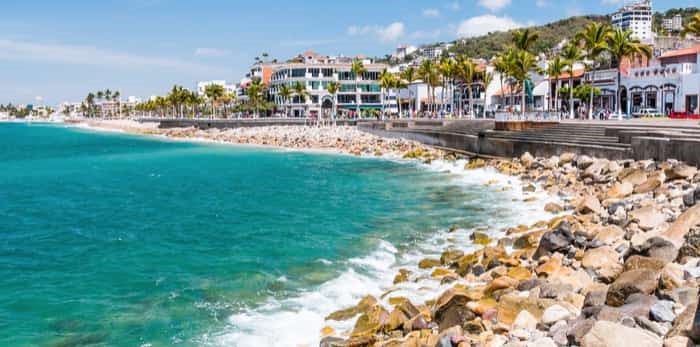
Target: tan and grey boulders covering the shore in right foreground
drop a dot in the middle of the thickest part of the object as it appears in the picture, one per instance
(621, 268)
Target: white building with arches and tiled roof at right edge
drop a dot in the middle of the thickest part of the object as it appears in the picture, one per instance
(670, 83)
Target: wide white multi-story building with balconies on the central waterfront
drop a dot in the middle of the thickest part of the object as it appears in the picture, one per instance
(316, 72)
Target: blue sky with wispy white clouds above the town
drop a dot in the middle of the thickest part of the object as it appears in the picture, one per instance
(54, 51)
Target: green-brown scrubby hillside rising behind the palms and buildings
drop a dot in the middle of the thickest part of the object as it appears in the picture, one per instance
(550, 35)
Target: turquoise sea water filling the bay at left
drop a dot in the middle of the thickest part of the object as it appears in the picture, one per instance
(118, 240)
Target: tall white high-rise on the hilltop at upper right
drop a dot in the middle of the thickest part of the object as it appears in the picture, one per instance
(637, 18)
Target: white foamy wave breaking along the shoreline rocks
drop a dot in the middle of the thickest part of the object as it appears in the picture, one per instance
(297, 321)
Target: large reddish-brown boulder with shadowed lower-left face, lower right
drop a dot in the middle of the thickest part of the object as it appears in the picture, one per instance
(631, 282)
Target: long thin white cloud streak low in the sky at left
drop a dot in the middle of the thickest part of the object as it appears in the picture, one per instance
(85, 55)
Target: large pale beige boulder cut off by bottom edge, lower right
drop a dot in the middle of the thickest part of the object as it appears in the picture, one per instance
(609, 334)
